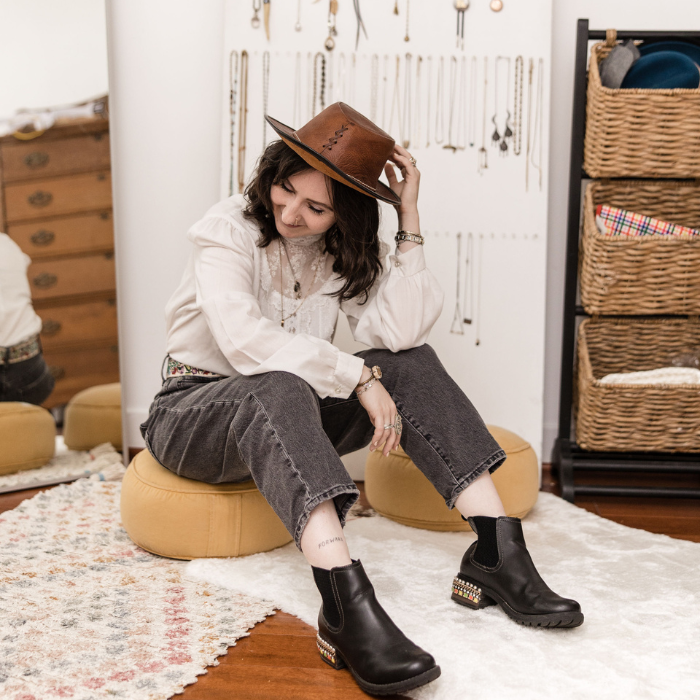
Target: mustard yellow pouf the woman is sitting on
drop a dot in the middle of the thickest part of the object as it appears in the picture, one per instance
(185, 519)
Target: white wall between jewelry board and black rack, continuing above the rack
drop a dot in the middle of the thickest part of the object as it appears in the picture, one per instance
(602, 14)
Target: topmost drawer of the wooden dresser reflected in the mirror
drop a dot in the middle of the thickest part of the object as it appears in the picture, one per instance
(48, 157)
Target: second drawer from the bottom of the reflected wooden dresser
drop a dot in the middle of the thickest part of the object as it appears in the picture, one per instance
(78, 323)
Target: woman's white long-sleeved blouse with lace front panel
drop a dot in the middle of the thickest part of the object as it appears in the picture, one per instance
(225, 315)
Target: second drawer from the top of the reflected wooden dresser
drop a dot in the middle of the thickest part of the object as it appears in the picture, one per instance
(57, 196)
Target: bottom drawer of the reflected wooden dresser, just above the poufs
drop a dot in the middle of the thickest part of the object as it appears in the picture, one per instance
(75, 370)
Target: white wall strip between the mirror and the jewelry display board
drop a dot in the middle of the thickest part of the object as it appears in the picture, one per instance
(165, 94)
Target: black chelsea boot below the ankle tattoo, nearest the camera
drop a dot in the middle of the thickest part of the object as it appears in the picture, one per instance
(355, 631)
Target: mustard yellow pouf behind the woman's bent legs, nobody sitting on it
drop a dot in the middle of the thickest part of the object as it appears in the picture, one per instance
(397, 489)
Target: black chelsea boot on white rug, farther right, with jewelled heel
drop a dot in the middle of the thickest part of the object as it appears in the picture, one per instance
(498, 569)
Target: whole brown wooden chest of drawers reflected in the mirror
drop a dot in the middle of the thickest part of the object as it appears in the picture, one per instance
(56, 204)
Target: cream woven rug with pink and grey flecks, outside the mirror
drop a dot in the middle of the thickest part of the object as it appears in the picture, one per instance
(86, 614)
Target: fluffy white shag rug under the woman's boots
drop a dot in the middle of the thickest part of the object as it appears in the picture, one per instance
(640, 594)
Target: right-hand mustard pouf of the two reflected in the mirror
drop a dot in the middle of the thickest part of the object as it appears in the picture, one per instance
(94, 416)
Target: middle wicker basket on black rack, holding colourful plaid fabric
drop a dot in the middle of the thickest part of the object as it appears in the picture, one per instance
(641, 275)
